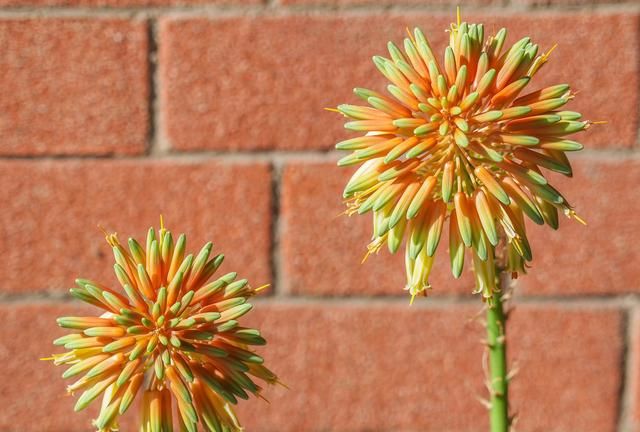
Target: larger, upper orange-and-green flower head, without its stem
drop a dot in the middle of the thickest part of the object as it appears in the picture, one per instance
(458, 142)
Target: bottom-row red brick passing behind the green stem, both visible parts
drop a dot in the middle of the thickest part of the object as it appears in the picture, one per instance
(389, 367)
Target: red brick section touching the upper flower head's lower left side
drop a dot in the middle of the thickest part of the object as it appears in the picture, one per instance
(322, 250)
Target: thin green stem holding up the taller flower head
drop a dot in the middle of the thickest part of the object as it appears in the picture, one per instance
(497, 345)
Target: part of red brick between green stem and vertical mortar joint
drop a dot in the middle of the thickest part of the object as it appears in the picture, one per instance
(569, 362)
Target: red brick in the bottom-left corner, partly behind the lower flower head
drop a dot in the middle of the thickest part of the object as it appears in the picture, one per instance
(29, 382)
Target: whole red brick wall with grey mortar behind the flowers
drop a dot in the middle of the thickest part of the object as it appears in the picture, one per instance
(210, 112)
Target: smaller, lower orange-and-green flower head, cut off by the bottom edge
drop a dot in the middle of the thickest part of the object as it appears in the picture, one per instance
(172, 337)
